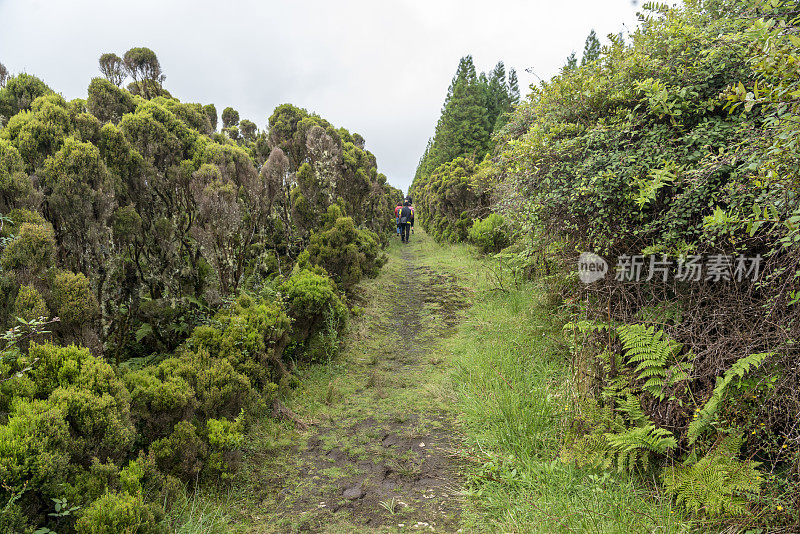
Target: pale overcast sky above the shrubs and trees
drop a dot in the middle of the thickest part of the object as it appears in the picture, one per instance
(379, 68)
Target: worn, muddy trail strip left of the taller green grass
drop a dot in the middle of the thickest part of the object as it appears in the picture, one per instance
(379, 452)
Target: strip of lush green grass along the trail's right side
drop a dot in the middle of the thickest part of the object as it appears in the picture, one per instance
(514, 397)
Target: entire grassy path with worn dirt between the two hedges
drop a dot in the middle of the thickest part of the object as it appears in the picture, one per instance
(445, 412)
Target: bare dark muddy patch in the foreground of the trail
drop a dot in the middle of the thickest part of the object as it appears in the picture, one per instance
(401, 478)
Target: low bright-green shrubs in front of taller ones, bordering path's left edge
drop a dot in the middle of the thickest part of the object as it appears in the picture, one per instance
(118, 443)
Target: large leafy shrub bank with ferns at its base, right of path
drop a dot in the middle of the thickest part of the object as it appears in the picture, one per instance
(674, 146)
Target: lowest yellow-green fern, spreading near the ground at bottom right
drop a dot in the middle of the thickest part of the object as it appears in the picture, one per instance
(717, 483)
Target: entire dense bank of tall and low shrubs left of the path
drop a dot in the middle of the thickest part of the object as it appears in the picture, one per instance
(127, 217)
